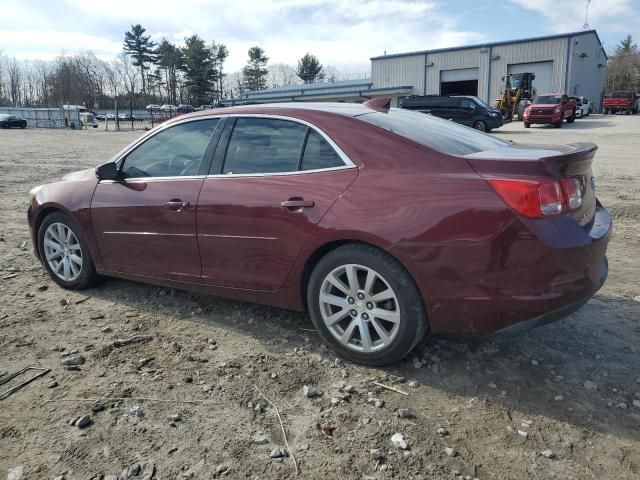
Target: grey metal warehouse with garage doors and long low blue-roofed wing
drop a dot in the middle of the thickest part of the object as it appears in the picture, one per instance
(575, 63)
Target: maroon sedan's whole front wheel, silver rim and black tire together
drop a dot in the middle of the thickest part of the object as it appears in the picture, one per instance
(64, 252)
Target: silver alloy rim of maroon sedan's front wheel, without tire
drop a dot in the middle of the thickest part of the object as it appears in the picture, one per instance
(62, 252)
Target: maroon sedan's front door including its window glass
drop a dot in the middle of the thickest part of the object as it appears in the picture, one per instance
(145, 222)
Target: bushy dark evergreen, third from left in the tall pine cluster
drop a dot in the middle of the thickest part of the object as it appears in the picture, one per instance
(199, 70)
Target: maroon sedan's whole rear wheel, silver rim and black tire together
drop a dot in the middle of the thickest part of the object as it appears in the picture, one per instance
(365, 305)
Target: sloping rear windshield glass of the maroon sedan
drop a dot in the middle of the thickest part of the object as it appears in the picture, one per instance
(441, 135)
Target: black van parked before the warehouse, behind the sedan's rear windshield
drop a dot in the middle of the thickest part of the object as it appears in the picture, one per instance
(466, 110)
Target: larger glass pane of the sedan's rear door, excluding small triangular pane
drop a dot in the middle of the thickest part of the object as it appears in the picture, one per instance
(264, 145)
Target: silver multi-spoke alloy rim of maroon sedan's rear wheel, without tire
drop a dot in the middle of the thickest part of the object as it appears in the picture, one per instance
(359, 308)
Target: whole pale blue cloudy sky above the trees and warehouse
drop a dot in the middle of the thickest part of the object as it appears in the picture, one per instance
(343, 33)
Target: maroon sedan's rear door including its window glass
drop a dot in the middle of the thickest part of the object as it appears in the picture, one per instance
(273, 180)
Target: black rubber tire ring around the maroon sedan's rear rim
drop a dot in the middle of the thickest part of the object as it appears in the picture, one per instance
(413, 323)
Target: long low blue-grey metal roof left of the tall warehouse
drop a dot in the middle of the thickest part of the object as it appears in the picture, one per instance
(348, 88)
